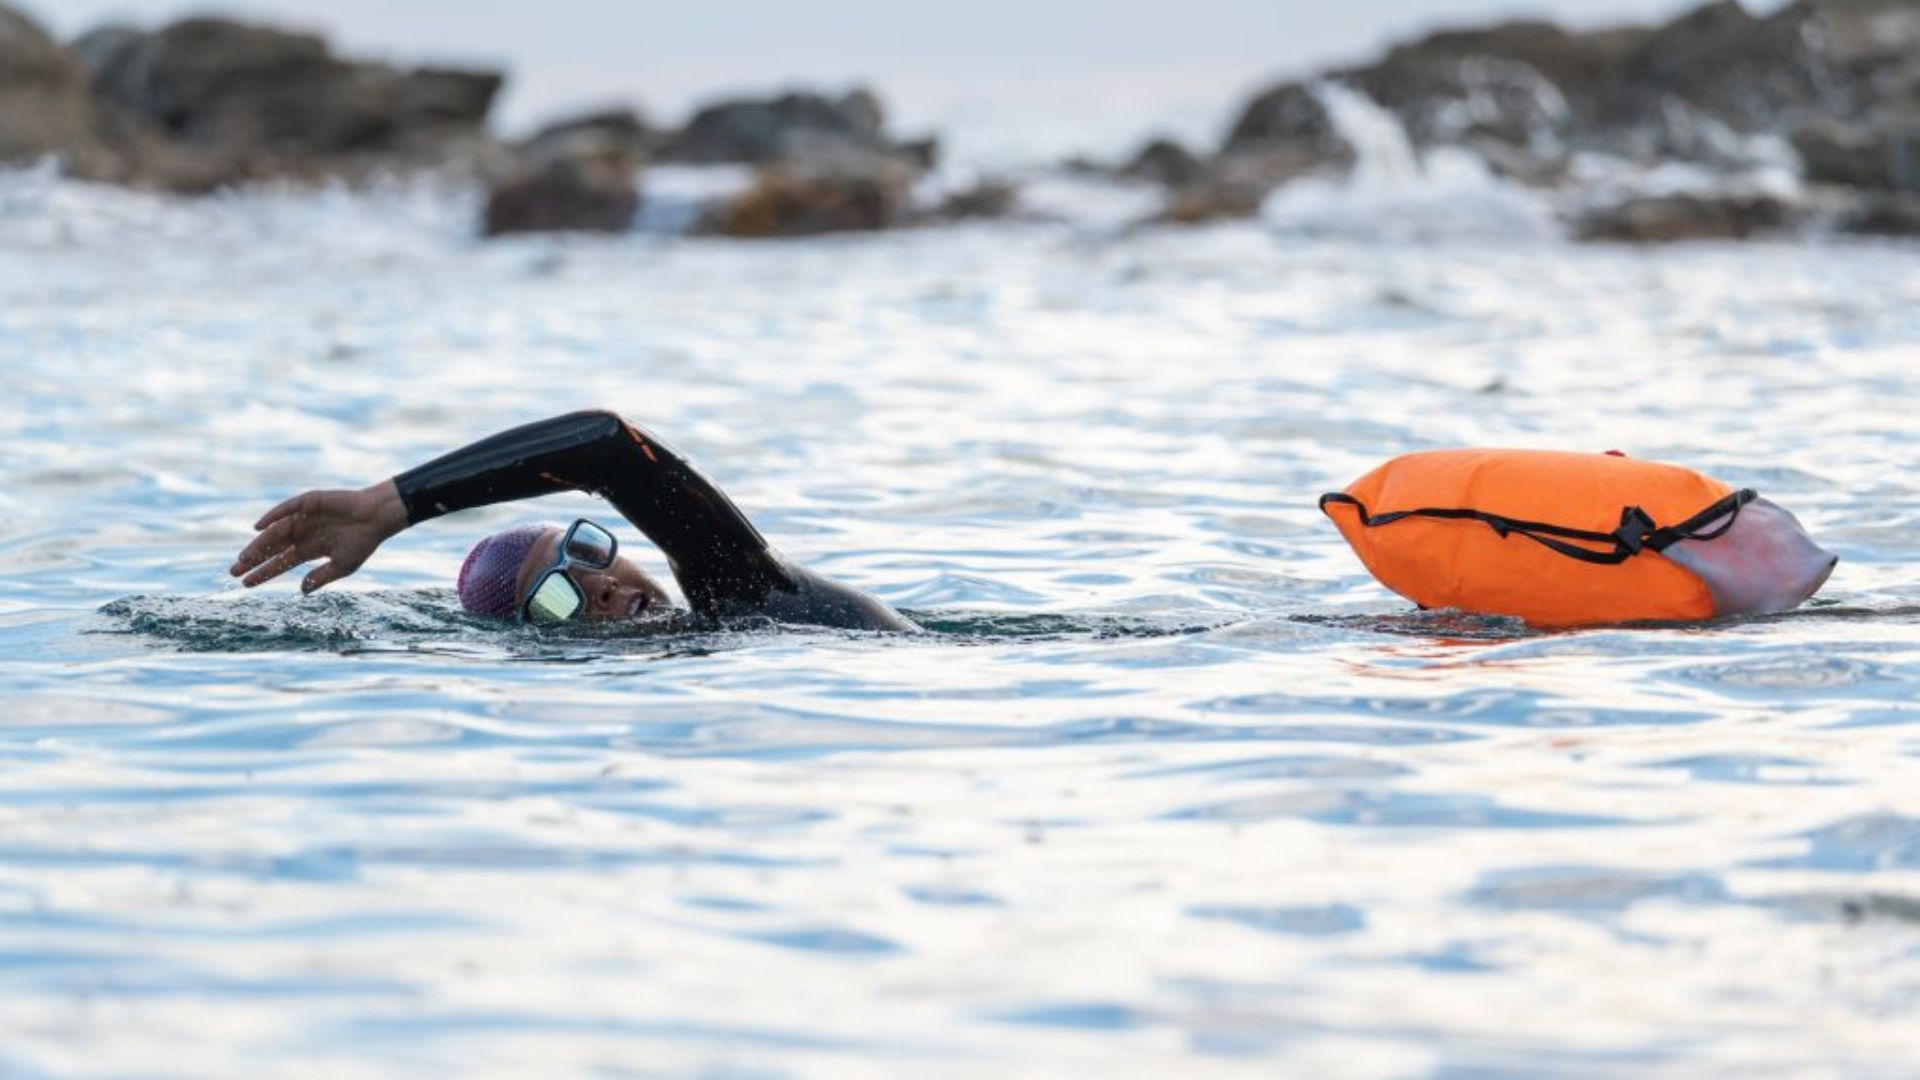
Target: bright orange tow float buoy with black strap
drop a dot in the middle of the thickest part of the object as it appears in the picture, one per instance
(1573, 539)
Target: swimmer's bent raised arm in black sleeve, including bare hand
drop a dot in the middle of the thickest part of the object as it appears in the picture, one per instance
(721, 560)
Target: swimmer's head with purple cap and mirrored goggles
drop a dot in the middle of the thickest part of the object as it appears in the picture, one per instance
(502, 570)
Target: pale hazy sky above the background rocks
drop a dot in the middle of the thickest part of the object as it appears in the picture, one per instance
(1116, 64)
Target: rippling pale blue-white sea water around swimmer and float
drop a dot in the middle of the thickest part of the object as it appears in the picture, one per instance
(1170, 791)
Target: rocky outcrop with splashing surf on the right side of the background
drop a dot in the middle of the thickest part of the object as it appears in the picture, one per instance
(1827, 91)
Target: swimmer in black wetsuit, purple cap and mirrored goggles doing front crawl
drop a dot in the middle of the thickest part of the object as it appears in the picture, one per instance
(546, 574)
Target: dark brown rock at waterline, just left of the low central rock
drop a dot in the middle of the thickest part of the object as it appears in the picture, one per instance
(588, 189)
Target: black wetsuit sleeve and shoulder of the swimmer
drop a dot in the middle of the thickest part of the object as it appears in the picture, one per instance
(721, 560)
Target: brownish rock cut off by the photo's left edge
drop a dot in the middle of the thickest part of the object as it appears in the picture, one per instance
(43, 93)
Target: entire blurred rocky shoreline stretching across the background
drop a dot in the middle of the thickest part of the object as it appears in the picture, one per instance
(1714, 126)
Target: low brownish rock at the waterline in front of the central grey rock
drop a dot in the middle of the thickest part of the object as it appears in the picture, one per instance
(802, 203)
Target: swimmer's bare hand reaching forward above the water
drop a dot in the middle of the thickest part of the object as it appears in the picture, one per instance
(341, 528)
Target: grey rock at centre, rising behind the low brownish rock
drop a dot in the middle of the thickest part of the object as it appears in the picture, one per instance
(779, 130)
